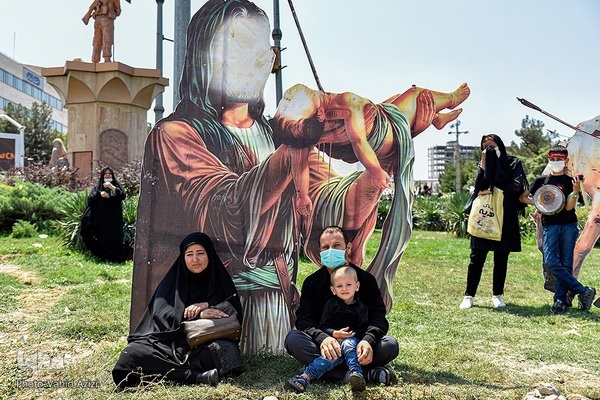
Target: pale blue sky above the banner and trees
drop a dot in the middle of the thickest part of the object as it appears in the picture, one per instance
(545, 51)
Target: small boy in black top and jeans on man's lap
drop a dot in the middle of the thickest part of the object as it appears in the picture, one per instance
(344, 318)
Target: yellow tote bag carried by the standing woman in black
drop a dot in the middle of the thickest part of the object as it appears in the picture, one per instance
(487, 216)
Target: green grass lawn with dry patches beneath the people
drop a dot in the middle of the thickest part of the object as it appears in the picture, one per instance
(64, 319)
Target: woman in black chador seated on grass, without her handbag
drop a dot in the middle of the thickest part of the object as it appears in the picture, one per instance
(158, 349)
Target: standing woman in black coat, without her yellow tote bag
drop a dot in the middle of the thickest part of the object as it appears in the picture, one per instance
(497, 169)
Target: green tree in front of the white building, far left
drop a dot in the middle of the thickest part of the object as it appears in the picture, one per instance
(38, 132)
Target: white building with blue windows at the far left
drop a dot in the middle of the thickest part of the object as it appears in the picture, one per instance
(24, 84)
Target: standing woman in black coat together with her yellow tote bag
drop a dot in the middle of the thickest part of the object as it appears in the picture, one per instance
(497, 170)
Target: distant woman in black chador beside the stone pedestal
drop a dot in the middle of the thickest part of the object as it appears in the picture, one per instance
(102, 223)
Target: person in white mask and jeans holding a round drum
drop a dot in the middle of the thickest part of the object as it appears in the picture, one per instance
(555, 197)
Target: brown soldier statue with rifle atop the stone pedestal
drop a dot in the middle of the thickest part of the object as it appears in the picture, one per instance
(104, 13)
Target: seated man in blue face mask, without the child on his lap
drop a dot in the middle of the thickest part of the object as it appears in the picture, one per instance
(307, 342)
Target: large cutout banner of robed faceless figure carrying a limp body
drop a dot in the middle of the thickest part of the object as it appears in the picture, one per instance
(262, 189)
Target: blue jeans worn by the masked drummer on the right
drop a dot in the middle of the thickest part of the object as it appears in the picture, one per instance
(558, 247)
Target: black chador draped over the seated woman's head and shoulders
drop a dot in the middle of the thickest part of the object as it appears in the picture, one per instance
(180, 288)
